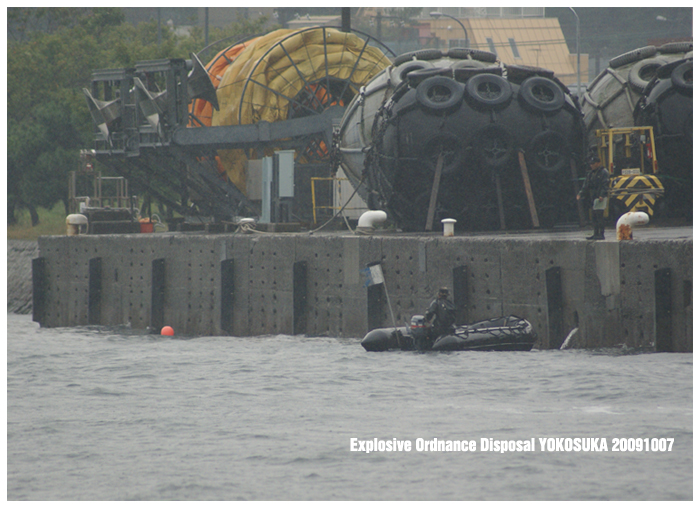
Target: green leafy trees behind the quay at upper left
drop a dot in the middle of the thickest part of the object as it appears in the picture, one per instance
(51, 54)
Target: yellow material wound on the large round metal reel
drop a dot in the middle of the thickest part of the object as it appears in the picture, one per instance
(291, 74)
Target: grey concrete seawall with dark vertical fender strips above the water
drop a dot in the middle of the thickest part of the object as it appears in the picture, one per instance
(636, 293)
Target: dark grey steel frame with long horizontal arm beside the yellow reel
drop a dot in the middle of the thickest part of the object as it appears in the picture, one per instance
(141, 131)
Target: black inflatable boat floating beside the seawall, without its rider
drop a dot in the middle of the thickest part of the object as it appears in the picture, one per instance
(508, 333)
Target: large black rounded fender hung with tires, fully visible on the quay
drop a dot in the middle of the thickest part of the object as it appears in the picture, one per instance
(475, 117)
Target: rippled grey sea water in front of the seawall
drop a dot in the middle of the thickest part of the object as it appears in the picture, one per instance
(98, 413)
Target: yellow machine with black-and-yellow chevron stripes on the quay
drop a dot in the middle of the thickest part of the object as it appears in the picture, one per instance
(629, 153)
